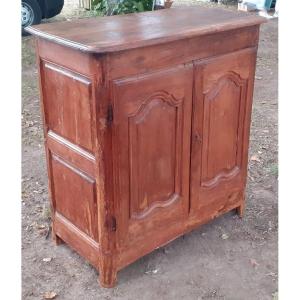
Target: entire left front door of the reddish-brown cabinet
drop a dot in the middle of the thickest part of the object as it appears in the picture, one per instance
(151, 150)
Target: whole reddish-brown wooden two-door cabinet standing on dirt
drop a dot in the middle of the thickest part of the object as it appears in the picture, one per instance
(146, 123)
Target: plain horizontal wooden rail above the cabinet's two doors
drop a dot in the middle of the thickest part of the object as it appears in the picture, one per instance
(148, 59)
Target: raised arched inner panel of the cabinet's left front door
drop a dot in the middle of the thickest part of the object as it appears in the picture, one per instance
(155, 170)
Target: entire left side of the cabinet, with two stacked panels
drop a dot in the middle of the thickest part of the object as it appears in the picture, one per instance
(68, 109)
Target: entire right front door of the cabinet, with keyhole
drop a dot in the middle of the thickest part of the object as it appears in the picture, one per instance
(220, 134)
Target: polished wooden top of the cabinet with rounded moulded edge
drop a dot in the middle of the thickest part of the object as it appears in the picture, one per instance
(116, 33)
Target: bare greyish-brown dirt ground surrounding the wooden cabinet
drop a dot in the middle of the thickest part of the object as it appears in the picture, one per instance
(228, 258)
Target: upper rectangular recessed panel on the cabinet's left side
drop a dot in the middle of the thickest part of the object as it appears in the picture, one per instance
(67, 104)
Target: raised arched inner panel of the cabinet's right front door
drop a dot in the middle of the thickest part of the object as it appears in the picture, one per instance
(222, 131)
